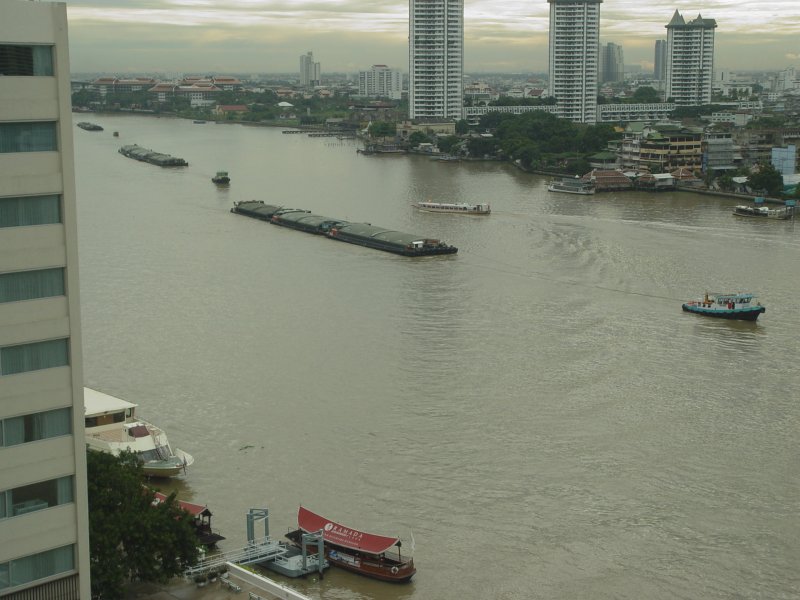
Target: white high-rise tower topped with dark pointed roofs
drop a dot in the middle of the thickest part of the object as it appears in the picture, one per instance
(690, 60)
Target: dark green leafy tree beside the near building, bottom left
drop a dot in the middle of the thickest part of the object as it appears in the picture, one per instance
(130, 539)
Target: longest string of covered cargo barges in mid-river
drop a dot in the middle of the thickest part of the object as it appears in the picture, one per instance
(362, 234)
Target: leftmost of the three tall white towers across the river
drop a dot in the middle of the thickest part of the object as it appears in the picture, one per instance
(436, 59)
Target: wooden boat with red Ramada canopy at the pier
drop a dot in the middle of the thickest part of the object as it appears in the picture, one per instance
(357, 551)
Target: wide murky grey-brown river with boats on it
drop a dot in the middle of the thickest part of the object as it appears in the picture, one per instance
(536, 410)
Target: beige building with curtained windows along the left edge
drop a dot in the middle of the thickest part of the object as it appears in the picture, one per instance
(44, 529)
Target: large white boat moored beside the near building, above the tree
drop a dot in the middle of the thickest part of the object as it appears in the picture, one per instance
(112, 426)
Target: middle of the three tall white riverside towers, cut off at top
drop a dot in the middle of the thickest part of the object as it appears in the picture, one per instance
(574, 49)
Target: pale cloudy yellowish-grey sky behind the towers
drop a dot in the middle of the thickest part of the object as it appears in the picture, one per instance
(268, 36)
